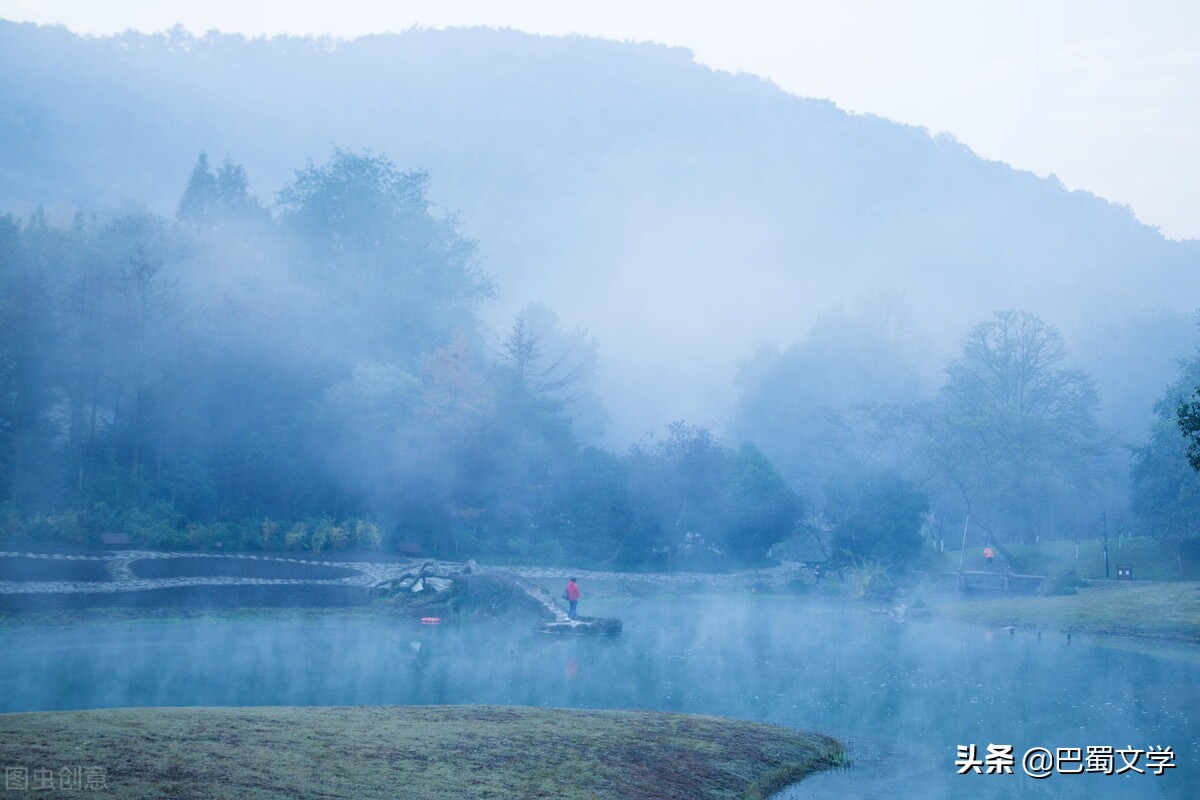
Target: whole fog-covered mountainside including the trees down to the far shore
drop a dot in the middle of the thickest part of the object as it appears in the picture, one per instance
(553, 299)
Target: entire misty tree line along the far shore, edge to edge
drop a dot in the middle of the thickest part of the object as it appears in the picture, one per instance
(316, 375)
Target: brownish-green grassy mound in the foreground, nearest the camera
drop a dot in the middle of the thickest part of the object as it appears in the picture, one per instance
(429, 753)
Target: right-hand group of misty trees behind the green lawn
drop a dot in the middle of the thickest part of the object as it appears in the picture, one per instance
(1007, 450)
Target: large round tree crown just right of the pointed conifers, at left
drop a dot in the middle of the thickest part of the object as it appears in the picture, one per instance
(400, 280)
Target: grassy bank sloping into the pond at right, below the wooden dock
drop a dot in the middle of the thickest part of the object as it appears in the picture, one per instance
(1169, 611)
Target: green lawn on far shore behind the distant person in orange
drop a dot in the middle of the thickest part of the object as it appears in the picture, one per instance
(1150, 558)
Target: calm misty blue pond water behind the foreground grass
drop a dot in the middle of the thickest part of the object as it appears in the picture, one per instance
(905, 696)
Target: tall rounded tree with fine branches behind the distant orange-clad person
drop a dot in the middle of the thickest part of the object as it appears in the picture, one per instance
(1015, 431)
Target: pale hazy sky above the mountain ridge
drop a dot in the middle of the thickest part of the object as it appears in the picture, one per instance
(1105, 94)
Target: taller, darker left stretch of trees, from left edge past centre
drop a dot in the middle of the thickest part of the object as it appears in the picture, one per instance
(315, 375)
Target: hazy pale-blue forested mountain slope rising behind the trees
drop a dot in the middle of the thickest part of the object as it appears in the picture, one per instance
(682, 215)
